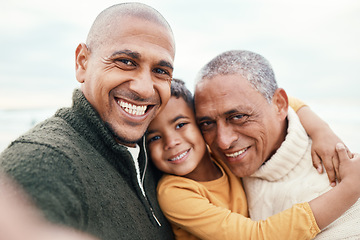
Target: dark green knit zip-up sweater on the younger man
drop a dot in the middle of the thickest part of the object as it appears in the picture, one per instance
(79, 176)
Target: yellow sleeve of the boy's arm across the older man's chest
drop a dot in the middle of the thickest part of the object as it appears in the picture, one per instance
(185, 205)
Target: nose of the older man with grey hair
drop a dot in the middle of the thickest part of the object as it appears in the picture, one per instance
(225, 136)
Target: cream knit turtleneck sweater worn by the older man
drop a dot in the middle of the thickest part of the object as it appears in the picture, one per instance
(289, 177)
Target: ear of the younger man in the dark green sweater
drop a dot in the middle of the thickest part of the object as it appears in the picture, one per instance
(81, 59)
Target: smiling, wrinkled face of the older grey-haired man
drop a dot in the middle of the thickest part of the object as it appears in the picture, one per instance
(237, 122)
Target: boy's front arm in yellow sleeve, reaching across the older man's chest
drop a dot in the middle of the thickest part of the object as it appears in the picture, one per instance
(186, 204)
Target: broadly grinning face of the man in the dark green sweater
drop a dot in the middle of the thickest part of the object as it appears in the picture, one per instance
(127, 78)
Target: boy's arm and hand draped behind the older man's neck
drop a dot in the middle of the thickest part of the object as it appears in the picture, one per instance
(324, 140)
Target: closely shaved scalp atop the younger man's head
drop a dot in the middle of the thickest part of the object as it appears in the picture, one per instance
(111, 17)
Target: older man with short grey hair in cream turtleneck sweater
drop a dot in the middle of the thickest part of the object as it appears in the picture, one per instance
(245, 119)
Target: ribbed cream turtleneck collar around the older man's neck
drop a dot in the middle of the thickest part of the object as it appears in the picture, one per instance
(289, 154)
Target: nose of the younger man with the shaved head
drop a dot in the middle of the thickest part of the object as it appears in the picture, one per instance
(143, 84)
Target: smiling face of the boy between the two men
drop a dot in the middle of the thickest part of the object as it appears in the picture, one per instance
(175, 141)
